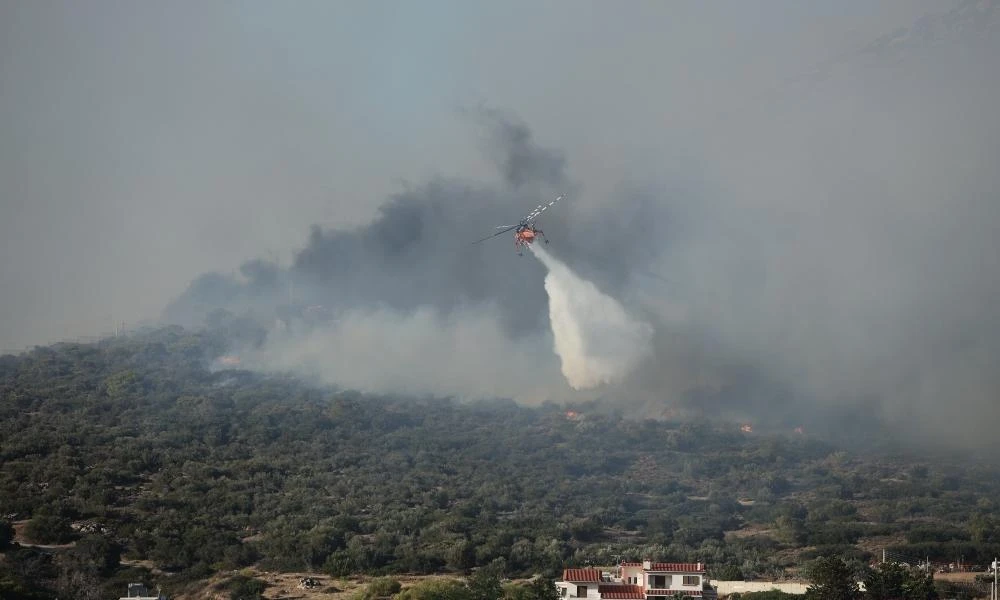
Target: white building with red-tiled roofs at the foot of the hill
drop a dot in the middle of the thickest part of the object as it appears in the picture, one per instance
(637, 581)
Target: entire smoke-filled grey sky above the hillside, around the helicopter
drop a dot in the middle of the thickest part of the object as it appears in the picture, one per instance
(810, 246)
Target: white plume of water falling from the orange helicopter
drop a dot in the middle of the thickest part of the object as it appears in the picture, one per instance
(596, 340)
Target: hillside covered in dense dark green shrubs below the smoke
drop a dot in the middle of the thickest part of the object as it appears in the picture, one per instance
(135, 450)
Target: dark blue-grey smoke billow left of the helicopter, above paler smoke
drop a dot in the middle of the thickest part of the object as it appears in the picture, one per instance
(416, 253)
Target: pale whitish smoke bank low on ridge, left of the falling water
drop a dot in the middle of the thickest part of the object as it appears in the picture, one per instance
(465, 353)
